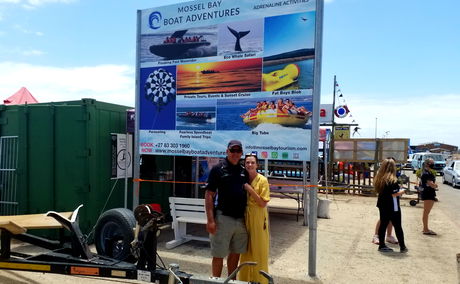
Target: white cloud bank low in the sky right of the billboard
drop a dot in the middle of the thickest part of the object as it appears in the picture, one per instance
(422, 119)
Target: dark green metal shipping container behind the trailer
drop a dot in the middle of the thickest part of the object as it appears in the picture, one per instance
(57, 156)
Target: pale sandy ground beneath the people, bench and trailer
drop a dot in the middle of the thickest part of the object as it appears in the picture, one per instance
(345, 253)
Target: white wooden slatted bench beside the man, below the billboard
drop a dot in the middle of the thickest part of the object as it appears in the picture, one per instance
(183, 211)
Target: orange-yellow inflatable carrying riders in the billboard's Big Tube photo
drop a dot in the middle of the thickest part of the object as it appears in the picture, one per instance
(282, 112)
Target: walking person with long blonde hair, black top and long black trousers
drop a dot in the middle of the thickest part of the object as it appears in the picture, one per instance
(387, 187)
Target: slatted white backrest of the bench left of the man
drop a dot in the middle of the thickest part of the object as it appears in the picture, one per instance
(187, 207)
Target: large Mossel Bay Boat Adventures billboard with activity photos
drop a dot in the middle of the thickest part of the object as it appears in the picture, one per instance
(213, 71)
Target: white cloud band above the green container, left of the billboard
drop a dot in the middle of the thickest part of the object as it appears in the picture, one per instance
(107, 83)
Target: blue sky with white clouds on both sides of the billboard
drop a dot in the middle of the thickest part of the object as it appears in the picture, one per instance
(397, 61)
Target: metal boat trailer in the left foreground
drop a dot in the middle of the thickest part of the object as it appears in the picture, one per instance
(75, 257)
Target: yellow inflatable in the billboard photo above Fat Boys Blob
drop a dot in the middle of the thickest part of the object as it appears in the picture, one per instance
(280, 78)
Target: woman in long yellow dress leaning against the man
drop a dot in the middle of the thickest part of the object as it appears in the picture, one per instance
(256, 223)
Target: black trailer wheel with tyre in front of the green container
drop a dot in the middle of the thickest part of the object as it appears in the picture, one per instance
(114, 233)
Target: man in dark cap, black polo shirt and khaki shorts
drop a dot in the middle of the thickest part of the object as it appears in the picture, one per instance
(225, 200)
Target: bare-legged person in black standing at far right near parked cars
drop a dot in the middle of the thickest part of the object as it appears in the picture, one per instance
(428, 195)
